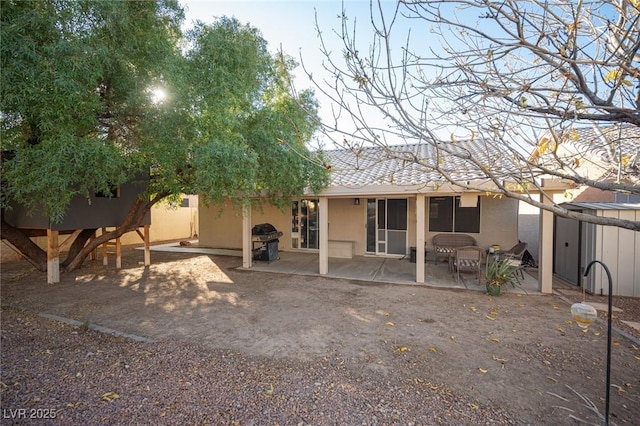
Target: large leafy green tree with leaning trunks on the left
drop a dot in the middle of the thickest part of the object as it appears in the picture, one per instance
(93, 93)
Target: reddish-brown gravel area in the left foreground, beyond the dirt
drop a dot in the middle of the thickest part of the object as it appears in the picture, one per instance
(80, 376)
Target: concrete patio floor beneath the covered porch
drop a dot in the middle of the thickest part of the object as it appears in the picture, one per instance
(362, 268)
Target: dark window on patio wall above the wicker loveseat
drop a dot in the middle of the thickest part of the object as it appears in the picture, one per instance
(446, 215)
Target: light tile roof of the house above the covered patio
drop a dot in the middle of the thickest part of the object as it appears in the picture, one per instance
(411, 164)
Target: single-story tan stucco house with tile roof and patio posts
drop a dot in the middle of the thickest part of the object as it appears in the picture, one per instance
(383, 201)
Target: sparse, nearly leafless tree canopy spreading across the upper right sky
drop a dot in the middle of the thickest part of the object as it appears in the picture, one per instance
(524, 77)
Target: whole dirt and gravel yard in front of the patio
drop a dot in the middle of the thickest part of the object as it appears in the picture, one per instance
(240, 347)
